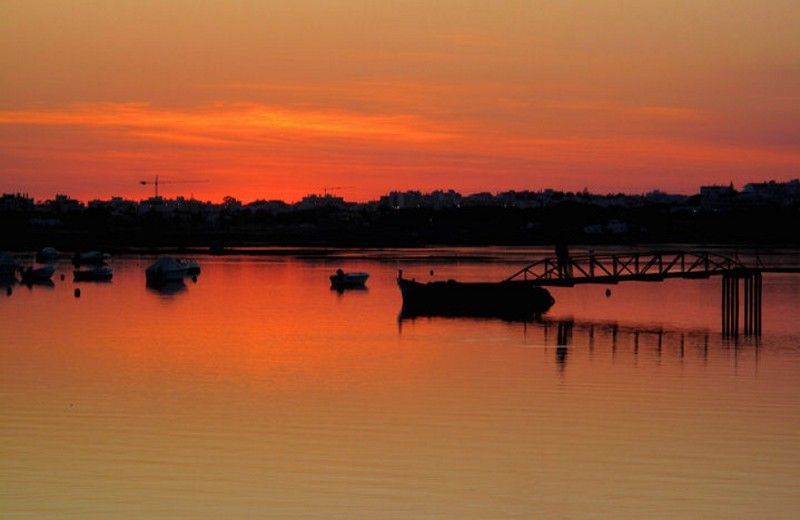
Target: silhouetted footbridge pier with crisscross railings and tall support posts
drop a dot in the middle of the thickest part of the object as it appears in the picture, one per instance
(657, 266)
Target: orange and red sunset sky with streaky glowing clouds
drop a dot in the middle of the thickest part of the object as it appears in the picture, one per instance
(276, 99)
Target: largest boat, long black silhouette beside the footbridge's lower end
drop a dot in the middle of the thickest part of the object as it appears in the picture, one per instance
(510, 299)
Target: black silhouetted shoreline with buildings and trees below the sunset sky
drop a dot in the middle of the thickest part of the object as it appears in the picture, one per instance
(758, 213)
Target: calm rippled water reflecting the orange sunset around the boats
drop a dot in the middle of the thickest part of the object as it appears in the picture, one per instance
(259, 392)
